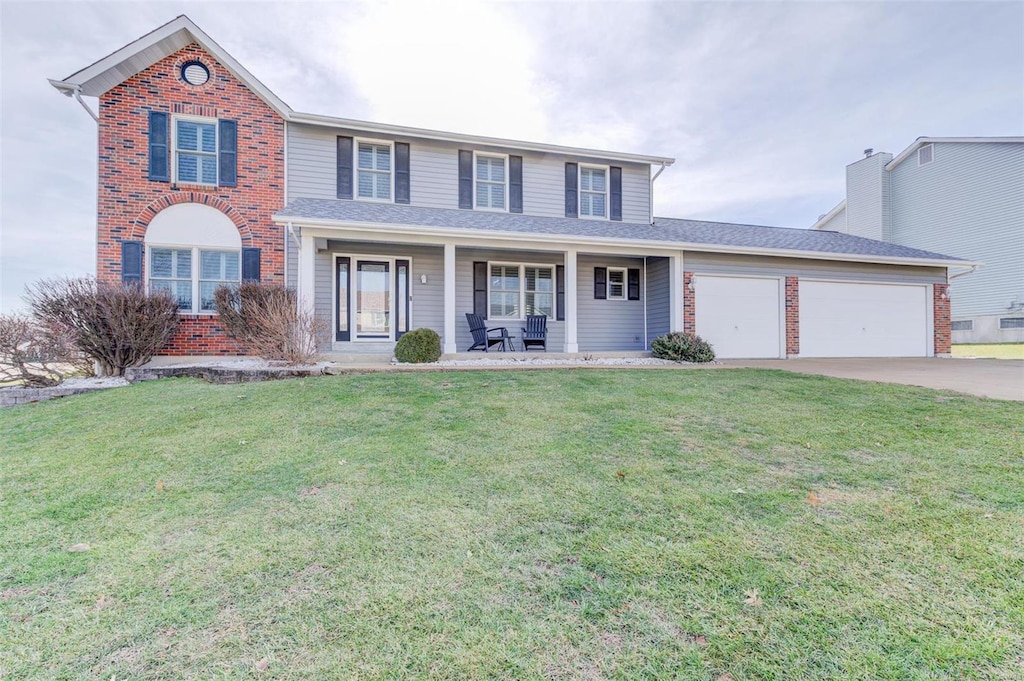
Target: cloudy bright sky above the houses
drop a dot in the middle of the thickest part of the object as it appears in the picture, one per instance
(762, 104)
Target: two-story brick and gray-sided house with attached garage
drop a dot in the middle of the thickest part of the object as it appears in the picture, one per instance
(206, 178)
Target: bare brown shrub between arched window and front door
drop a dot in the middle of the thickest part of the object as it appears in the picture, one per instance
(268, 320)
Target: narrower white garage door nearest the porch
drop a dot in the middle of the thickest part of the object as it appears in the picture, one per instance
(739, 316)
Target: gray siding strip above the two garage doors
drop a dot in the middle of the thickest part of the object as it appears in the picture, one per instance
(724, 264)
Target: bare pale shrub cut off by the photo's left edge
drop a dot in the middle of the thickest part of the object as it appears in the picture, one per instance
(35, 356)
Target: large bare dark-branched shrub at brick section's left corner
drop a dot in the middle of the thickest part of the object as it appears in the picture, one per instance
(117, 326)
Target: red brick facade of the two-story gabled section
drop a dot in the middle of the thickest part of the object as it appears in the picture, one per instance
(130, 201)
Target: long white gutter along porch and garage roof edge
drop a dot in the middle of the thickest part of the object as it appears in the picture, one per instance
(398, 229)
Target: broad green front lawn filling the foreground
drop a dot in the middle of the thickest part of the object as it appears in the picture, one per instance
(696, 525)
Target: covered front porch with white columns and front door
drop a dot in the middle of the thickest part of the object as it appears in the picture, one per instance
(370, 288)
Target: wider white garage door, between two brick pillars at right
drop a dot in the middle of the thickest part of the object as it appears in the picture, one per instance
(863, 320)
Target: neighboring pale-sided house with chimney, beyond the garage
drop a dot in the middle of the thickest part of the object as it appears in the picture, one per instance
(952, 195)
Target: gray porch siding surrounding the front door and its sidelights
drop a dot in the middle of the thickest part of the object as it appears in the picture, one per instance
(429, 300)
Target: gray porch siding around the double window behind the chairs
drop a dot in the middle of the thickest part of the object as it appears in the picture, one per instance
(464, 260)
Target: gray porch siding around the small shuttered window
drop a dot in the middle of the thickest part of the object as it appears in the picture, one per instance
(608, 325)
